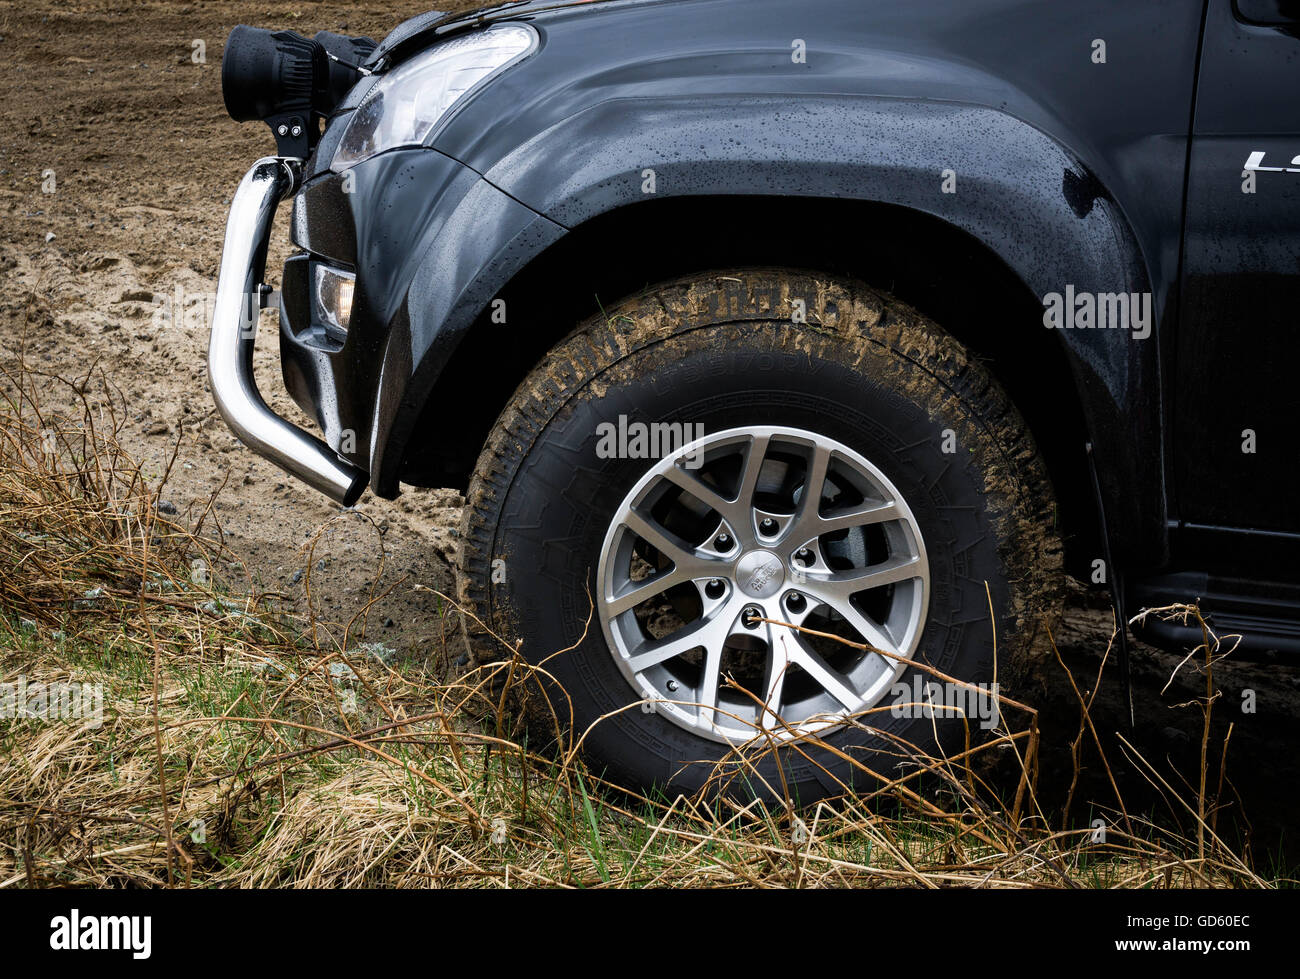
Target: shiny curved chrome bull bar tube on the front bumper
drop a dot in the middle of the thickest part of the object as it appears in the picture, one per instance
(235, 331)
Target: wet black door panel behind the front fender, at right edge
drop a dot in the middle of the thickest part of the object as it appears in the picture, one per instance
(1240, 339)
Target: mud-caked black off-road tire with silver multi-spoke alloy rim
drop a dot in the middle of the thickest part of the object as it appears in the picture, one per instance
(898, 408)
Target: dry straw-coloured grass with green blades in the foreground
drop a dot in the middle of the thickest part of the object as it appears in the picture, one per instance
(240, 748)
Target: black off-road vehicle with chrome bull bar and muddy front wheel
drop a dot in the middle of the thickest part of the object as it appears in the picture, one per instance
(790, 354)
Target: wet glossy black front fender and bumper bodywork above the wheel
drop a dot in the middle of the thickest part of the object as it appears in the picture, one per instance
(1072, 172)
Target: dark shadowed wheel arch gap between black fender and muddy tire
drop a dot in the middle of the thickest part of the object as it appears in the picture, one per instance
(938, 268)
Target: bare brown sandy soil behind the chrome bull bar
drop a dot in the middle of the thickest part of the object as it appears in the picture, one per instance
(118, 162)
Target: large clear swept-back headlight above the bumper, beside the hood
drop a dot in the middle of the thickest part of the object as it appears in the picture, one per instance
(408, 105)
